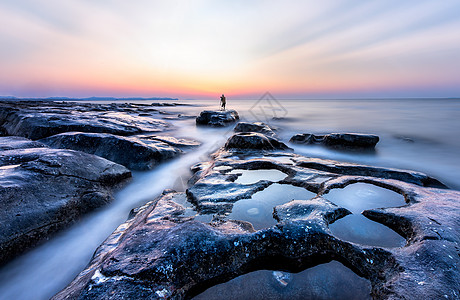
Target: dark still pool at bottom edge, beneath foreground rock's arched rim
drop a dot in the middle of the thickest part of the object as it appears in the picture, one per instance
(326, 281)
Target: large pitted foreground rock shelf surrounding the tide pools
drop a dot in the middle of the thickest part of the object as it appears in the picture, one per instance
(164, 252)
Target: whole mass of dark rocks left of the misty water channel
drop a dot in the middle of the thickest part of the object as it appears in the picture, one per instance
(61, 160)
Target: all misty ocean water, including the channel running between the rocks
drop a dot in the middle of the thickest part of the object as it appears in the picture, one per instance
(415, 134)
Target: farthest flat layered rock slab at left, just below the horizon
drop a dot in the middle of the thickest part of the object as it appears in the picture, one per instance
(40, 119)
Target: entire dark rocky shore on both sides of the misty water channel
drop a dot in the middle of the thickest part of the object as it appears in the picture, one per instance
(253, 205)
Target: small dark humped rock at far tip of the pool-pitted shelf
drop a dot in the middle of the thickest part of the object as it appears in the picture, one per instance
(254, 140)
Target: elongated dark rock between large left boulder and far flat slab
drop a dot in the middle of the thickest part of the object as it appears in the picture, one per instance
(128, 151)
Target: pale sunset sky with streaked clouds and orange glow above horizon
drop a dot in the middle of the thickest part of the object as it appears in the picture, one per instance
(200, 49)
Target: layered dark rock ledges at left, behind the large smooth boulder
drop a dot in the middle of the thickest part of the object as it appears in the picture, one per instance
(125, 133)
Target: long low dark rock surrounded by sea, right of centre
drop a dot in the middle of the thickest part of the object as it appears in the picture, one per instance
(338, 140)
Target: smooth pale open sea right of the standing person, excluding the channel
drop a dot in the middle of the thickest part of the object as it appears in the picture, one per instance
(415, 134)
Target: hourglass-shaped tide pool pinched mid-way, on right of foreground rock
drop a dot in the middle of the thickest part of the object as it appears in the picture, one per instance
(357, 228)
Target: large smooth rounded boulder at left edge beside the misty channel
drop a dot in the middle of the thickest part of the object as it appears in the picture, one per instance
(44, 190)
